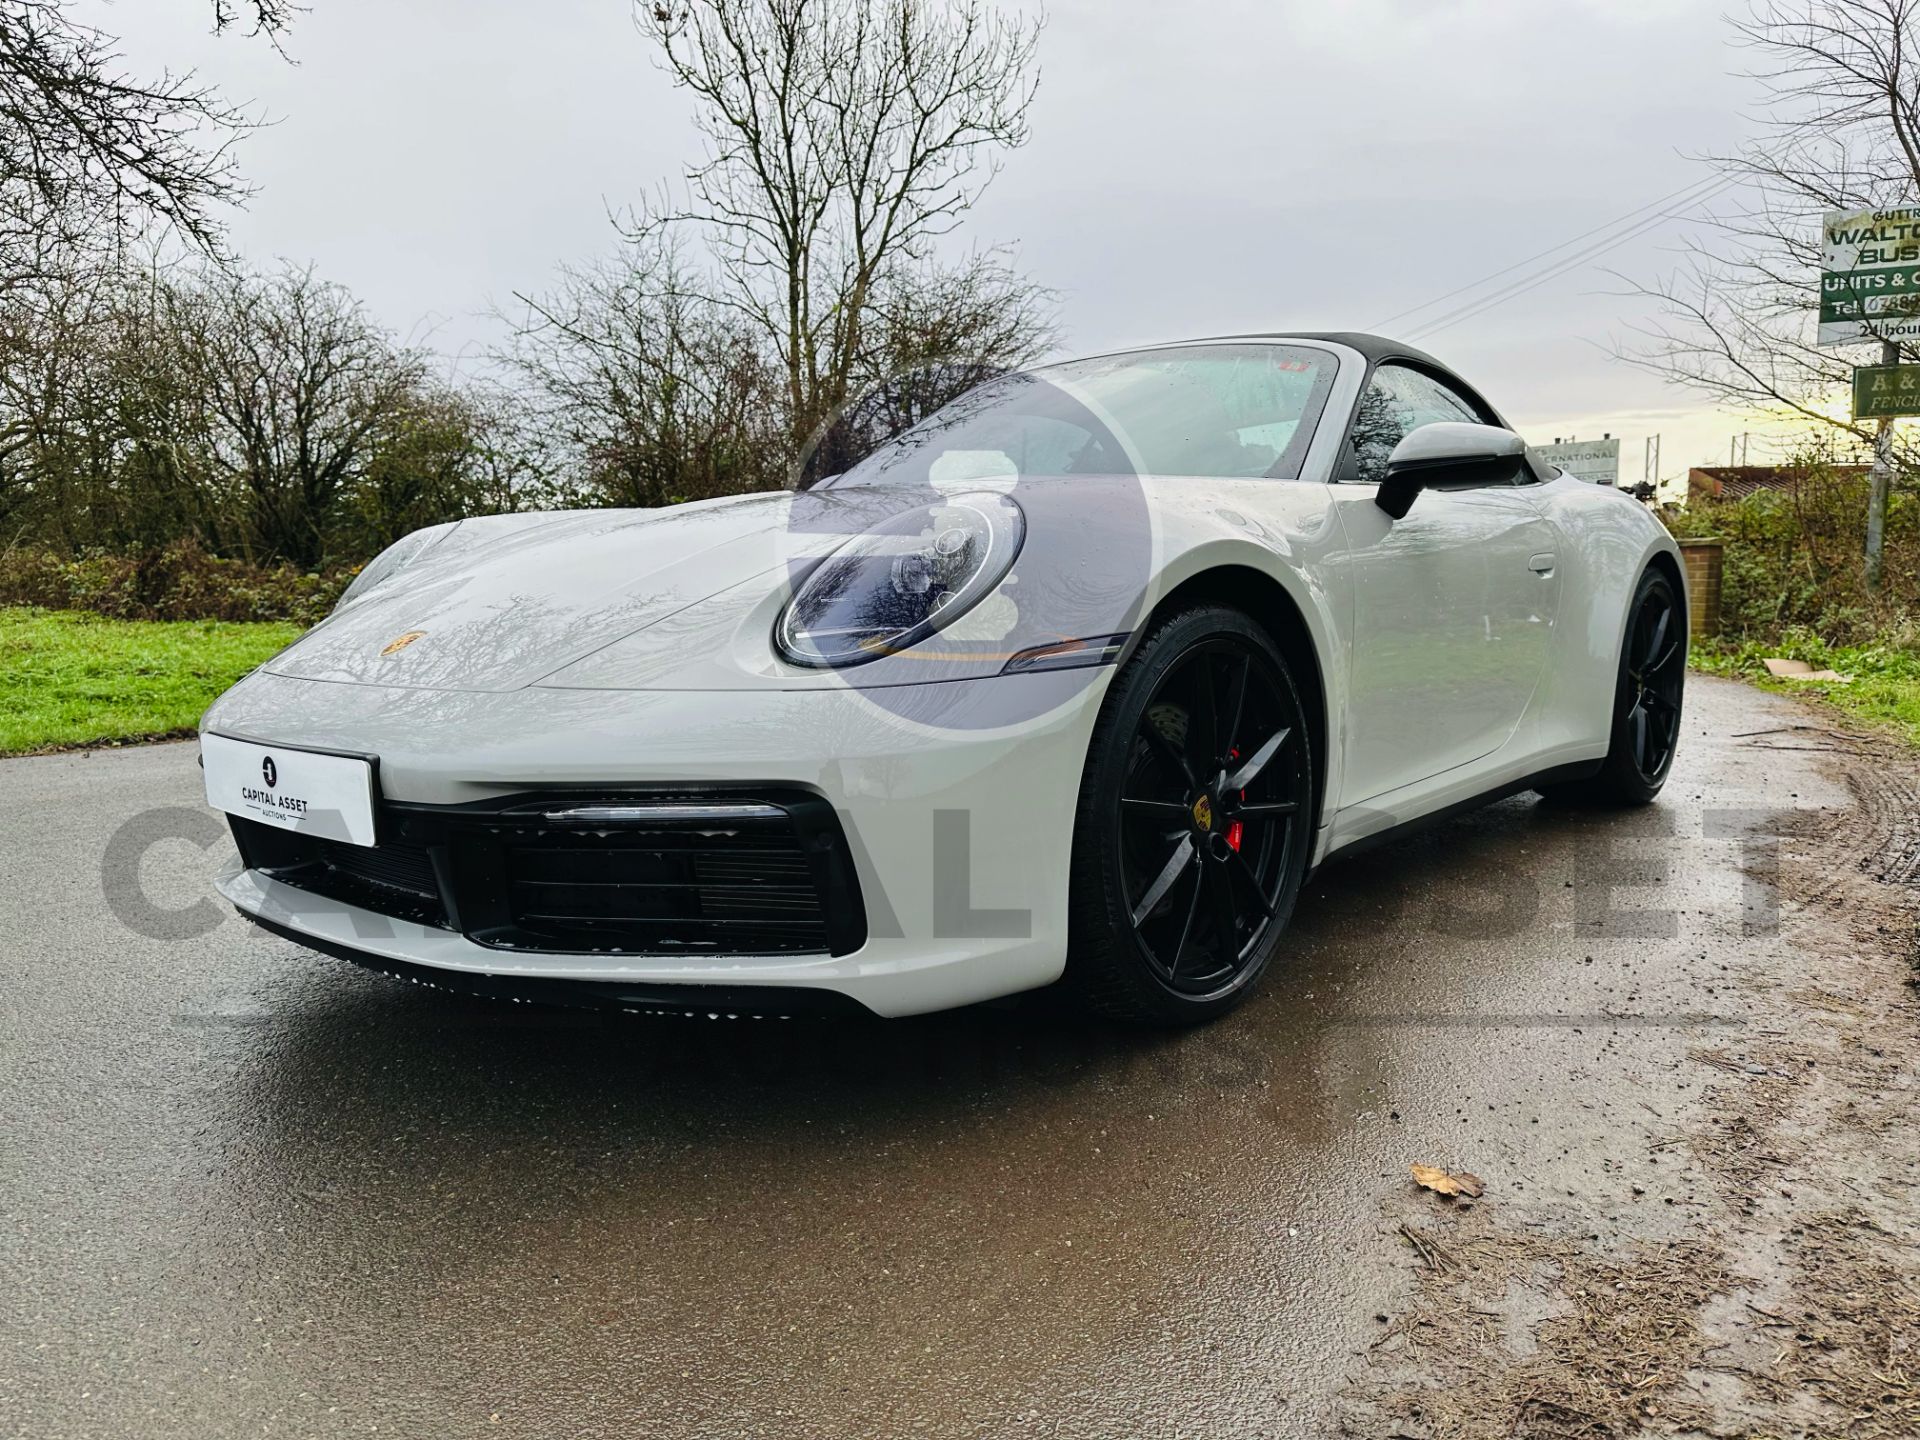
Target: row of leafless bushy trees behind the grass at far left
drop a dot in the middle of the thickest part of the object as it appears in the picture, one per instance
(260, 416)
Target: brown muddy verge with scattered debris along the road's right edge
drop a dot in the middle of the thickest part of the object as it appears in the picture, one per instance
(1762, 1274)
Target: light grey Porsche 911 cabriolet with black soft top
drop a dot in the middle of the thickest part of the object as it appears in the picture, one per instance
(1068, 684)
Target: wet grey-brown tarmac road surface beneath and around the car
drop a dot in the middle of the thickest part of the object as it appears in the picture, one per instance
(251, 1191)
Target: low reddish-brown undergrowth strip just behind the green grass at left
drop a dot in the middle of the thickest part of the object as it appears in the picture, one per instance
(178, 583)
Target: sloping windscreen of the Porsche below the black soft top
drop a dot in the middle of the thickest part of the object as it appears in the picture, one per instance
(1220, 412)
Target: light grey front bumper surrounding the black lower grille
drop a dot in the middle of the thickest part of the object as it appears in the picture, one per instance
(959, 827)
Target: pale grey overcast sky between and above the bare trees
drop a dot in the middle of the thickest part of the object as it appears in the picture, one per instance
(1195, 168)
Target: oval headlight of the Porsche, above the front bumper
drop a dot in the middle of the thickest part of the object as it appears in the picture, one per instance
(901, 583)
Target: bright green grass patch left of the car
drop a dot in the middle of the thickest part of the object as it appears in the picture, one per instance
(72, 679)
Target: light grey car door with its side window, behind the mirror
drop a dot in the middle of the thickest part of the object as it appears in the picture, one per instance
(1452, 606)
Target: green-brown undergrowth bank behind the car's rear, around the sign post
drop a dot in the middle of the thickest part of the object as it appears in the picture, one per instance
(1794, 560)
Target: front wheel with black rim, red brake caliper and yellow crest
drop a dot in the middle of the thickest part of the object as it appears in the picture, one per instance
(1193, 827)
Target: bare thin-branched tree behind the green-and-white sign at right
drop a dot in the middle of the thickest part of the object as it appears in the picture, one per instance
(1842, 132)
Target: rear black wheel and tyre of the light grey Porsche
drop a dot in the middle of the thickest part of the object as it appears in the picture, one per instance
(1646, 704)
